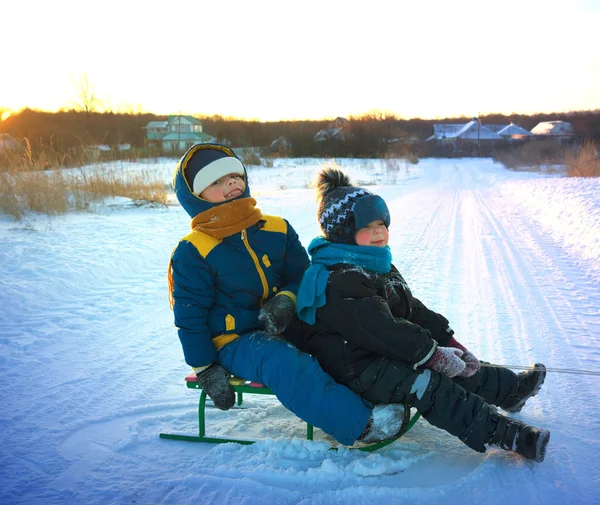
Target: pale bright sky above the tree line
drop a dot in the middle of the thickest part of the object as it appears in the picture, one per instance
(271, 60)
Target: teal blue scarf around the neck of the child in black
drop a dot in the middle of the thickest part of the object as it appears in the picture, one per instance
(311, 294)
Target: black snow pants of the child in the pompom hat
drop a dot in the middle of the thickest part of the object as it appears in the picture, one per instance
(460, 406)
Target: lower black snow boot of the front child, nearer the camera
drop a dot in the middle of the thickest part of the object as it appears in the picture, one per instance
(512, 435)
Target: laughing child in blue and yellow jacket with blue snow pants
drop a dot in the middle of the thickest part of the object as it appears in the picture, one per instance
(236, 275)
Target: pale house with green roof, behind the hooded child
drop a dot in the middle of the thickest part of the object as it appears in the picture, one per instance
(177, 134)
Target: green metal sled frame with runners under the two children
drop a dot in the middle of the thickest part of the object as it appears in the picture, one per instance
(241, 386)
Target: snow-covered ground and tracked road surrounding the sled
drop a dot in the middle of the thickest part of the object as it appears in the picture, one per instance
(91, 368)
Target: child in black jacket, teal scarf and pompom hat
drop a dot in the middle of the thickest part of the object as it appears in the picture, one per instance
(358, 317)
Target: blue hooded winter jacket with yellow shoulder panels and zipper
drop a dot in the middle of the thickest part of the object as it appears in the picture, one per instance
(221, 284)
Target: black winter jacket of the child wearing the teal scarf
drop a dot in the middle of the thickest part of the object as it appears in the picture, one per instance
(368, 317)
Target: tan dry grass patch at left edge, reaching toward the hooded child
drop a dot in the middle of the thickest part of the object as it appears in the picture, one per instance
(27, 186)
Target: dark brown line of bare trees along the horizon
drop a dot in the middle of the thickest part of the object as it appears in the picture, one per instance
(368, 135)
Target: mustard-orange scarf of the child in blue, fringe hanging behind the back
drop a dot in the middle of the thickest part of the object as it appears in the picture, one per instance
(219, 222)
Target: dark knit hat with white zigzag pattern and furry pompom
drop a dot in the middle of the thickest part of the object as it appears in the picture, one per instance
(344, 208)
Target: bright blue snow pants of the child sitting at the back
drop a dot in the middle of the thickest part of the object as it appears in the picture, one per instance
(299, 383)
